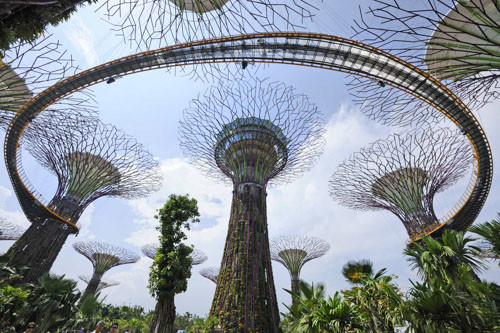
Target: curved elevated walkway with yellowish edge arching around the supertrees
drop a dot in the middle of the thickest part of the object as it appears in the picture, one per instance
(313, 50)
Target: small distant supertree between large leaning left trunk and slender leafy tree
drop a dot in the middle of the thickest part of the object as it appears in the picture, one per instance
(103, 257)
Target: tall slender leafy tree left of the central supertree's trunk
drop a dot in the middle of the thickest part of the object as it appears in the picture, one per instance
(172, 265)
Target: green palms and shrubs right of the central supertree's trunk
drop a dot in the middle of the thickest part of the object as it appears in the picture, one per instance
(449, 297)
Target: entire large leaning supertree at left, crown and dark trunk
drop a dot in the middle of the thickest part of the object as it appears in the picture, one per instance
(90, 160)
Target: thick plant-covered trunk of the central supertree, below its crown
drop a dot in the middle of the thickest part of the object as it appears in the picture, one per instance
(246, 274)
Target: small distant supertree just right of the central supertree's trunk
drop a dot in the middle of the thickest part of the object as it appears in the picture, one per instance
(294, 251)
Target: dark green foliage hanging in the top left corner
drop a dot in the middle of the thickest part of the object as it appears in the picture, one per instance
(25, 23)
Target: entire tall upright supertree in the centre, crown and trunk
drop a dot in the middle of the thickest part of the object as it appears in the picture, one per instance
(251, 134)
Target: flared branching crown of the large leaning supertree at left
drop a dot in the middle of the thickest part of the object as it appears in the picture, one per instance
(91, 160)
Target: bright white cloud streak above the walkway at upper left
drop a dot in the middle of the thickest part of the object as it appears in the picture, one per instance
(82, 38)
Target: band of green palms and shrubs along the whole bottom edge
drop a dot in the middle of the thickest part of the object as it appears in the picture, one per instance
(449, 297)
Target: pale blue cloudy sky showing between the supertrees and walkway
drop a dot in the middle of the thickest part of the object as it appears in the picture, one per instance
(149, 105)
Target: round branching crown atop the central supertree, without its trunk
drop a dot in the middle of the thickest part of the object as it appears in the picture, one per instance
(247, 132)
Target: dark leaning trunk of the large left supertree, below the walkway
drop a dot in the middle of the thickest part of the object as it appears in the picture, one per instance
(38, 247)
